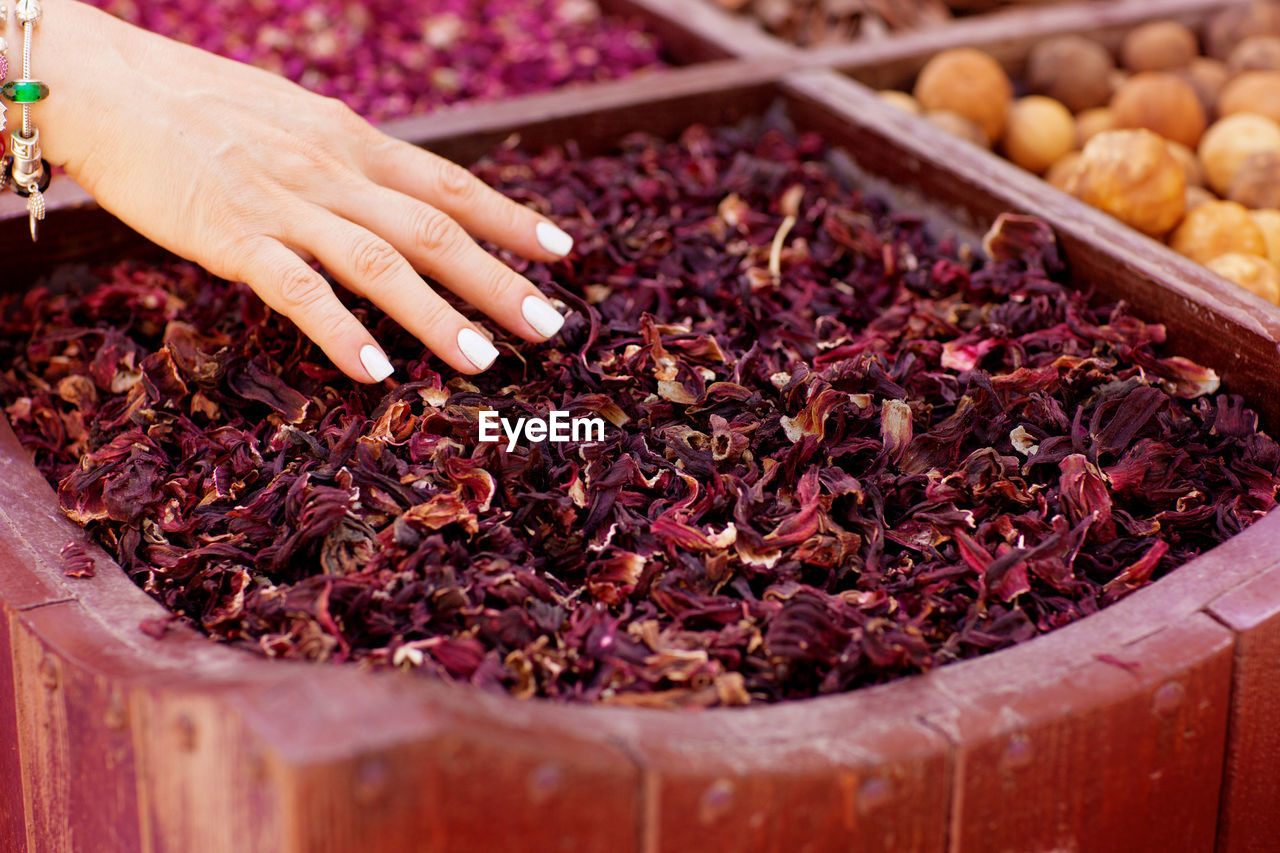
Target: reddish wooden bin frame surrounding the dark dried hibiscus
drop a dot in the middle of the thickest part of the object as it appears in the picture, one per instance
(1067, 738)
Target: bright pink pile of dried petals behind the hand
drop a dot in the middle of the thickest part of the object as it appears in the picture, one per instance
(395, 58)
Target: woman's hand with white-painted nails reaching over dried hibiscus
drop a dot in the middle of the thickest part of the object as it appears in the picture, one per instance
(249, 175)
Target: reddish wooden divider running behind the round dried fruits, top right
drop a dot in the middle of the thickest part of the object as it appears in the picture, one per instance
(1009, 38)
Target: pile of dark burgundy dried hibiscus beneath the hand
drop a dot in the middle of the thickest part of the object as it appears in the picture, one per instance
(840, 451)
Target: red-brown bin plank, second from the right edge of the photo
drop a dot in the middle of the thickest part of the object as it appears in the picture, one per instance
(1117, 755)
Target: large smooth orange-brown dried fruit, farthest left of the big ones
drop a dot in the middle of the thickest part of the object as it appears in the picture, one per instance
(971, 84)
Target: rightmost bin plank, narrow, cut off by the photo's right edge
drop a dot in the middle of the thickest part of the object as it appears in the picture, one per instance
(1251, 797)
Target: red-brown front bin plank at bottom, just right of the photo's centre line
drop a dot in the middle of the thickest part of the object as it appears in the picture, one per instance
(856, 774)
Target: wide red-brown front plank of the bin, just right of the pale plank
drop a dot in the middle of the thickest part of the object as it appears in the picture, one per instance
(374, 768)
